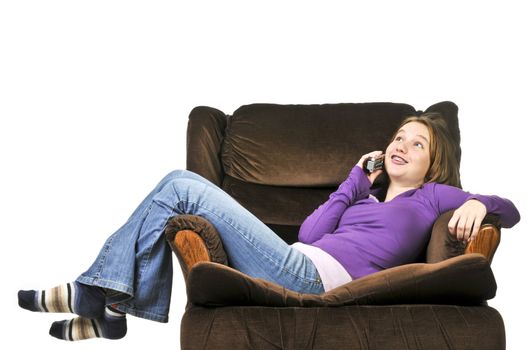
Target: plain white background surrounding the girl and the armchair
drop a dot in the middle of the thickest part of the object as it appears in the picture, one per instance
(95, 96)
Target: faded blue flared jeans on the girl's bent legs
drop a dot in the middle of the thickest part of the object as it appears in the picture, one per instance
(135, 262)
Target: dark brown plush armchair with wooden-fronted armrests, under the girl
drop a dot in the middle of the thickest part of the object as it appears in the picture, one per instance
(281, 162)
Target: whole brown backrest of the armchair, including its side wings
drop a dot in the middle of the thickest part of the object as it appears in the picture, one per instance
(282, 161)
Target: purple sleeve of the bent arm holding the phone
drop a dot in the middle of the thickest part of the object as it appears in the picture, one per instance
(326, 217)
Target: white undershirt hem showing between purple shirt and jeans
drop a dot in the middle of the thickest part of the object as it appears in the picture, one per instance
(331, 272)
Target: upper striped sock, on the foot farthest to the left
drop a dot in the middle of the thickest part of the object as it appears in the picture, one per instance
(81, 299)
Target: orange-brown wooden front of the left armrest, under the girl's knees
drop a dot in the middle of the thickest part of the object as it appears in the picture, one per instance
(191, 248)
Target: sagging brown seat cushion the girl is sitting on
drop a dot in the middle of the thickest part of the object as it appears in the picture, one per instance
(463, 280)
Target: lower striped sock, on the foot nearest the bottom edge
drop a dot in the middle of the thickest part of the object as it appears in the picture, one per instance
(112, 325)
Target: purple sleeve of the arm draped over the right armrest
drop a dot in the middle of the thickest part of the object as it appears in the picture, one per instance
(449, 197)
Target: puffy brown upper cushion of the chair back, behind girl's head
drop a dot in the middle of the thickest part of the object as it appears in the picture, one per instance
(266, 143)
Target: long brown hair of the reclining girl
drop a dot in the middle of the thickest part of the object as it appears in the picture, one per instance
(444, 167)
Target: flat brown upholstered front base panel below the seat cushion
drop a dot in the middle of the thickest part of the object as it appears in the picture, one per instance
(397, 327)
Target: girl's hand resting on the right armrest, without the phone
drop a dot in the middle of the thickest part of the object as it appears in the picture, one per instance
(466, 221)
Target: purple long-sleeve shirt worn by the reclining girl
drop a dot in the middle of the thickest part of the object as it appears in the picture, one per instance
(367, 236)
